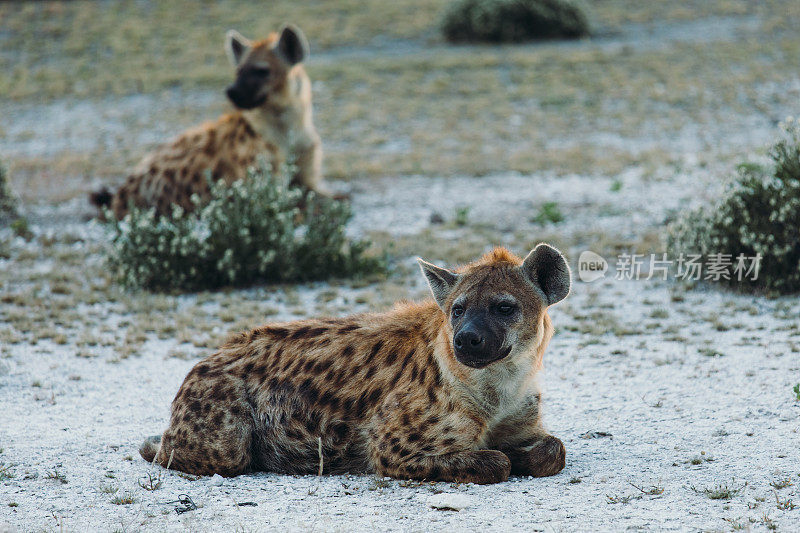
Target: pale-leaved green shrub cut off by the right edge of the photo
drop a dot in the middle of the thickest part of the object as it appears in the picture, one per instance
(759, 214)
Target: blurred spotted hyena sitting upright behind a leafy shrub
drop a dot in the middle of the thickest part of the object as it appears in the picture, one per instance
(272, 96)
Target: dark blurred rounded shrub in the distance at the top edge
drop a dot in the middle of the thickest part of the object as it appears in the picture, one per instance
(513, 20)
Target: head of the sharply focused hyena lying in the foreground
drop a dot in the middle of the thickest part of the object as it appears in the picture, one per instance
(496, 308)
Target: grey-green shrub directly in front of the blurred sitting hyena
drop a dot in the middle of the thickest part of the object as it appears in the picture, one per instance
(250, 231)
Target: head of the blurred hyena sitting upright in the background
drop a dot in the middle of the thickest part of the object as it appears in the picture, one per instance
(263, 67)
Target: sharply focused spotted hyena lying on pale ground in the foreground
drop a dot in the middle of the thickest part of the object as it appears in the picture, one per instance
(441, 390)
